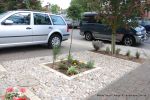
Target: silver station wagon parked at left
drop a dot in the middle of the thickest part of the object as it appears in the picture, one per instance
(21, 27)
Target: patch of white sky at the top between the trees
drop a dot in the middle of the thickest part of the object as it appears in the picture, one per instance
(62, 3)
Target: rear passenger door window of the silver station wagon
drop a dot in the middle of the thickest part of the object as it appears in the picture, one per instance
(41, 19)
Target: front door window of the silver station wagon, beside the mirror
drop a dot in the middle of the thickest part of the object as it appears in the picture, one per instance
(20, 18)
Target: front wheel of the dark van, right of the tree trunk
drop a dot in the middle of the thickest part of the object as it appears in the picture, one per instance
(128, 41)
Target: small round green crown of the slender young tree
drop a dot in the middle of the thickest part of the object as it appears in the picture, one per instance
(74, 12)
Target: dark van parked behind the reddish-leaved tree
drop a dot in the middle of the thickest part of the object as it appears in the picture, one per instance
(91, 29)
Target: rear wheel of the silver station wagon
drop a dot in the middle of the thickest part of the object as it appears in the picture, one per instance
(54, 40)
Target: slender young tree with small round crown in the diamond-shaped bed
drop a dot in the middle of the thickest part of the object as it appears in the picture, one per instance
(74, 12)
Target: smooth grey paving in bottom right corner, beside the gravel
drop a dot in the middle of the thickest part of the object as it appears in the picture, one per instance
(133, 86)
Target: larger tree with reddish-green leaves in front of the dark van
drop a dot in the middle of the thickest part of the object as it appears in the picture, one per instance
(117, 13)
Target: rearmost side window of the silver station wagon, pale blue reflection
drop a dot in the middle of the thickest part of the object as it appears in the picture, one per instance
(57, 20)
